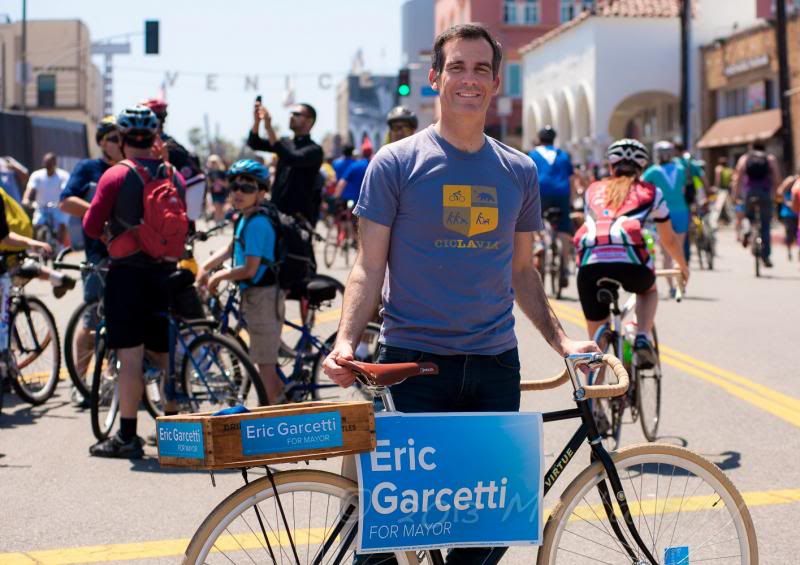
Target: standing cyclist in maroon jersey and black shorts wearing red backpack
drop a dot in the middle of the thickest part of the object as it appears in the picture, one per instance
(139, 211)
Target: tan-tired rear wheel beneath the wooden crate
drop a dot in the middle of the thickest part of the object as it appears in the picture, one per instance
(250, 526)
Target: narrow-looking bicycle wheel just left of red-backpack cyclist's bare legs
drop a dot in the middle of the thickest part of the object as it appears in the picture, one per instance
(104, 397)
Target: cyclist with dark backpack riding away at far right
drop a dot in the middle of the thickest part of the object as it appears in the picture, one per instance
(755, 182)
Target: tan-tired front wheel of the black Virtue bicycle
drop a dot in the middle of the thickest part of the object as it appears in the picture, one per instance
(685, 509)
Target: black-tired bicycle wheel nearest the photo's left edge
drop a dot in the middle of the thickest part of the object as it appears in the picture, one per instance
(36, 350)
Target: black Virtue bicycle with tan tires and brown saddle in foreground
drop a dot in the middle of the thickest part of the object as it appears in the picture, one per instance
(634, 506)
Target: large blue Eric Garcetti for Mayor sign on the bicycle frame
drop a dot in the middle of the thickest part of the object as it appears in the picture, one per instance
(451, 480)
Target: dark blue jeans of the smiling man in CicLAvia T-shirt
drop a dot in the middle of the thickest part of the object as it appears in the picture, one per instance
(465, 383)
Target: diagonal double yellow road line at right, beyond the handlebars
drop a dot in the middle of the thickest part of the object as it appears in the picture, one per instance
(776, 403)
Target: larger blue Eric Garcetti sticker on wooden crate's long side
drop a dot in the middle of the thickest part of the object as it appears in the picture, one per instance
(291, 433)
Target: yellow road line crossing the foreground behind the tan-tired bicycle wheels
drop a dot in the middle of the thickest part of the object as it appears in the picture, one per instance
(176, 547)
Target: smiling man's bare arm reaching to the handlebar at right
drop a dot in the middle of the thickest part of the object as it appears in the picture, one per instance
(533, 302)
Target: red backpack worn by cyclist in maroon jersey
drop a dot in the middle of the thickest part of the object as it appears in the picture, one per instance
(161, 233)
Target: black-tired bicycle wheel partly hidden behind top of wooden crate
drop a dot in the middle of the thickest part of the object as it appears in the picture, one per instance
(216, 373)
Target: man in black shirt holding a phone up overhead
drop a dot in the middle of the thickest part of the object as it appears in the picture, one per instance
(299, 160)
